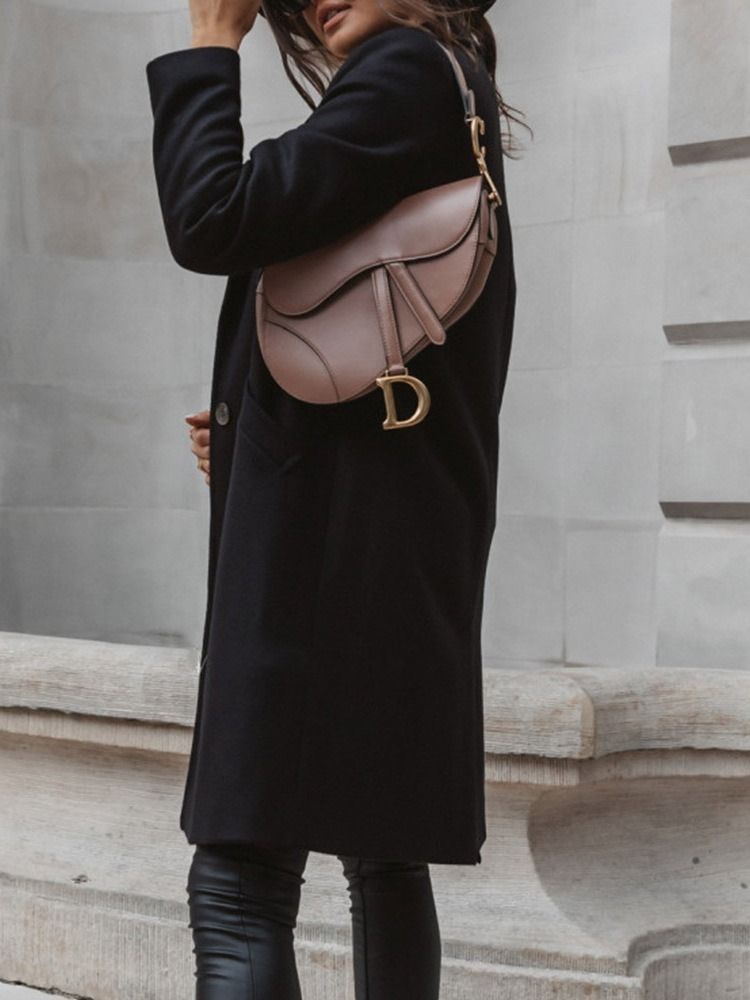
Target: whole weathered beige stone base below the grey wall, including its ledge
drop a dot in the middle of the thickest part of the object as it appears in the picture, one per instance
(618, 804)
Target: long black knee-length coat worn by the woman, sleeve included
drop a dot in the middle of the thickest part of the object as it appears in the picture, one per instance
(340, 698)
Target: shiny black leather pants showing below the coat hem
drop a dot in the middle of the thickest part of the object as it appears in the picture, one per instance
(243, 902)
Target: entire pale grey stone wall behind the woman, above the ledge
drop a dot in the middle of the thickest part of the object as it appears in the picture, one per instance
(621, 536)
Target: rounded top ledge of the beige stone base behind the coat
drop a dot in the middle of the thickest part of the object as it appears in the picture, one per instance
(570, 713)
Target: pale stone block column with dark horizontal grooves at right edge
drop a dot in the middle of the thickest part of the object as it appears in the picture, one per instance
(704, 487)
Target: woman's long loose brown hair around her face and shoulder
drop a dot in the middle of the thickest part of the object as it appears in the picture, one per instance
(454, 25)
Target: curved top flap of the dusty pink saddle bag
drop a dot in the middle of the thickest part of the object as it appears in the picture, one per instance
(421, 225)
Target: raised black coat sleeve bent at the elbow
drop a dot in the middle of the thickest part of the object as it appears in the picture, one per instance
(386, 114)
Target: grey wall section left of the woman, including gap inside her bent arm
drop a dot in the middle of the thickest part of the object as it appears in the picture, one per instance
(106, 342)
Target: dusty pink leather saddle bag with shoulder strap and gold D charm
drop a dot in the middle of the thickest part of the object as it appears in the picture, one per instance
(341, 320)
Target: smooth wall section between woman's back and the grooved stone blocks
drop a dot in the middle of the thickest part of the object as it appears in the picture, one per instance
(573, 573)
